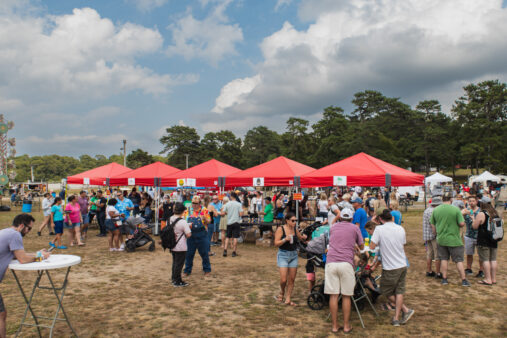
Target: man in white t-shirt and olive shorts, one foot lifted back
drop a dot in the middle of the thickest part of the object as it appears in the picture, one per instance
(391, 240)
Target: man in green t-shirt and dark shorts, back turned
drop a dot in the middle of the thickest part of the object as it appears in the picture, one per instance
(446, 221)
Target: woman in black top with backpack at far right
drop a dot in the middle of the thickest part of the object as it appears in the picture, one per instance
(486, 246)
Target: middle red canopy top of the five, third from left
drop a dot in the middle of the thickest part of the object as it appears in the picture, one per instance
(206, 174)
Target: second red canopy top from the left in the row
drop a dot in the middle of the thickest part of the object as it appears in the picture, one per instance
(144, 176)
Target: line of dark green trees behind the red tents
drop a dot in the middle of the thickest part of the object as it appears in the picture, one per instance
(472, 135)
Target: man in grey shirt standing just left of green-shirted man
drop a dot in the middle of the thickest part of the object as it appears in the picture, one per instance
(430, 239)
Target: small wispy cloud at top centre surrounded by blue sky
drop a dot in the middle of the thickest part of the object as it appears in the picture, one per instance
(210, 39)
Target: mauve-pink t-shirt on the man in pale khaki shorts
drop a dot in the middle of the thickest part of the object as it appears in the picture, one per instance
(342, 239)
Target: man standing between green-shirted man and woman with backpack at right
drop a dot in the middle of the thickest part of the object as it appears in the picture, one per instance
(471, 235)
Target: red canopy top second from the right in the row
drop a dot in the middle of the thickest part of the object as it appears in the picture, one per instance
(277, 172)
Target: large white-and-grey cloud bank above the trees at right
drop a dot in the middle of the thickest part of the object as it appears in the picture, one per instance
(404, 48)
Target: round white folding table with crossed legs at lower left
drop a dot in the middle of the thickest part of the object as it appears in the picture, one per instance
(42, 268)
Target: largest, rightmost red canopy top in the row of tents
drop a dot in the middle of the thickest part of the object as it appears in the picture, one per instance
(361, 170)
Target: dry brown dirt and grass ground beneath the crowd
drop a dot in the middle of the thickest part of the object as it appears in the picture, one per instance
(130, 295)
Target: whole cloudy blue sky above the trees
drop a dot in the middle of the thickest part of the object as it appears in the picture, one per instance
(79, 76)
